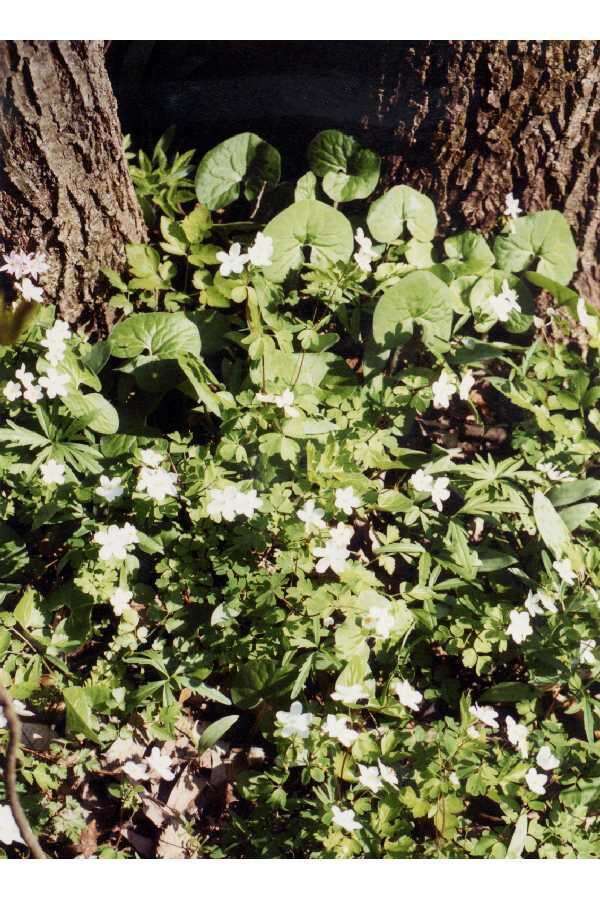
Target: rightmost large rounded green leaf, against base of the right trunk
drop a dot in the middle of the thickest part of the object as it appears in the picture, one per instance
(545, 236)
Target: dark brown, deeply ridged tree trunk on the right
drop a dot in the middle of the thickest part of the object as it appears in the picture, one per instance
(469, 121)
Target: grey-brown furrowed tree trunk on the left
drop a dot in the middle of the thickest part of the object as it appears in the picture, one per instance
(64, 185)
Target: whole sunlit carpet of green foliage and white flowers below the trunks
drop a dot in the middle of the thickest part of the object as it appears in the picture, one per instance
(300, 560)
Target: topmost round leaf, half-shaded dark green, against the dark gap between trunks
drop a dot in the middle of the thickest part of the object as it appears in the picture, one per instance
(349, 171)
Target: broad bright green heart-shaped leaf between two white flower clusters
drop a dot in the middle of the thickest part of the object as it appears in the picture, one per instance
(308, 223)
